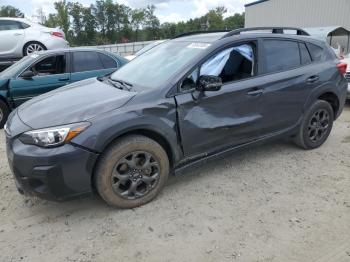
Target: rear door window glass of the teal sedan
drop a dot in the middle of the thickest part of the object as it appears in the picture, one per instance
(86, 61)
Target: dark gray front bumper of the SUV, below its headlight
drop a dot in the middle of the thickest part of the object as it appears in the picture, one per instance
(51, 173)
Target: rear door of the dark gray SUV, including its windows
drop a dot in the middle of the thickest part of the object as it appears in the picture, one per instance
(288, 80)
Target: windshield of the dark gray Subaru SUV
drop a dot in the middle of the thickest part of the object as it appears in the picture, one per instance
(155, 67)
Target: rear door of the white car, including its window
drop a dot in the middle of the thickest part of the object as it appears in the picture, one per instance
(11, 35)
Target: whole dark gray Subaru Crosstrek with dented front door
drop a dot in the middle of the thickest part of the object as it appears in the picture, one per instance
(191, 99)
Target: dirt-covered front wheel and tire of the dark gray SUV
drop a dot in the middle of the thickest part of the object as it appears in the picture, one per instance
(124, 164)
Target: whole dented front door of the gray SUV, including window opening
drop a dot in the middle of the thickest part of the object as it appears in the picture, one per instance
(211, 120)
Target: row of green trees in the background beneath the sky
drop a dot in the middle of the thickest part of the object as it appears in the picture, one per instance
(107, 22)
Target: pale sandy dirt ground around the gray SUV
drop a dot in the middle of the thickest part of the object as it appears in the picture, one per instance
(275, 202)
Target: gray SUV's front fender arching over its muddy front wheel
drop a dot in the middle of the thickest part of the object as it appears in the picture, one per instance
(160, 120)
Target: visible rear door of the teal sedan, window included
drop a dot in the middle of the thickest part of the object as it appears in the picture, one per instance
(86, 64)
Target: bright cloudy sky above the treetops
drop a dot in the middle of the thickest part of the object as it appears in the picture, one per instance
(167, 10)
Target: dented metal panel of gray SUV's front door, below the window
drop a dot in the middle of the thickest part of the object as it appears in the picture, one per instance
(209, 121)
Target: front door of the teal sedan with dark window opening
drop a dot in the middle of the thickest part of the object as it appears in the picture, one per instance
(50, 72)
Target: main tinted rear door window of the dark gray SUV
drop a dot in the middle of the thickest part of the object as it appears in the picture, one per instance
(280, 55)
